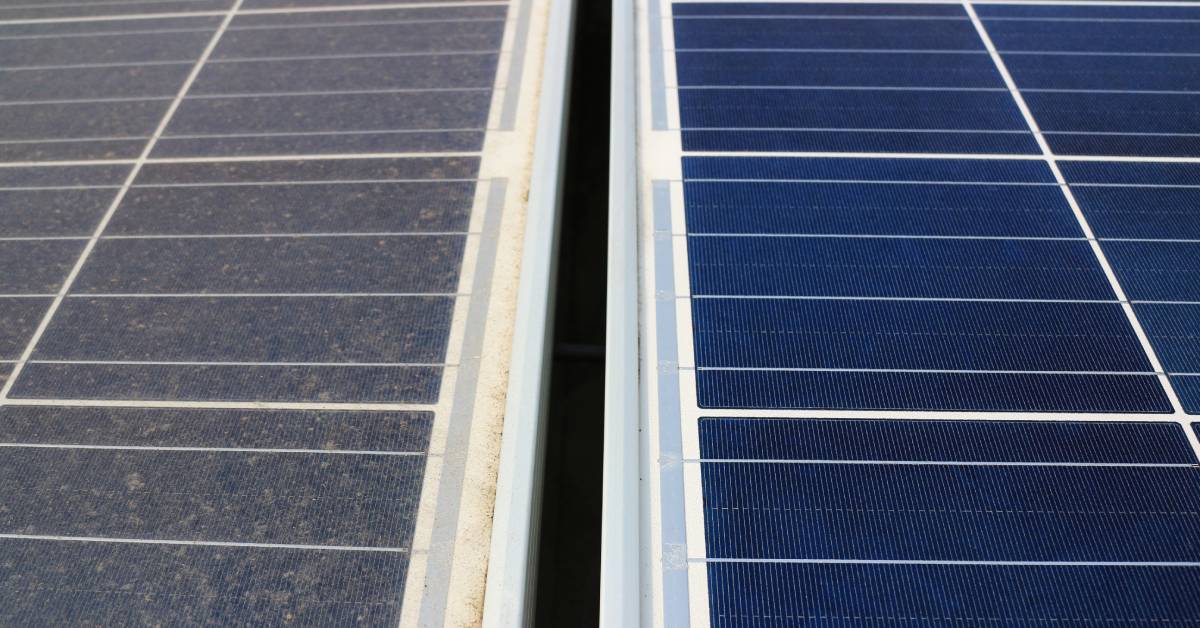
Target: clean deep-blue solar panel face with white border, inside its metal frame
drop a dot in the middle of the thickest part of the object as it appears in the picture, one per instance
(920, 286)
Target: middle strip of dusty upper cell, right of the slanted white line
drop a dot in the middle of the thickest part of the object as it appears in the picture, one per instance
(358, 74)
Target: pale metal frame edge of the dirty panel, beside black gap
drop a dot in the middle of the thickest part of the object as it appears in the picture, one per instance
(509, 597)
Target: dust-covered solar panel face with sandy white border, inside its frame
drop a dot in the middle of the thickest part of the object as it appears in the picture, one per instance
(256, 254)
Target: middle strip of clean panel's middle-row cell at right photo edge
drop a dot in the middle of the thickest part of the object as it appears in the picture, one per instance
(1156, 271)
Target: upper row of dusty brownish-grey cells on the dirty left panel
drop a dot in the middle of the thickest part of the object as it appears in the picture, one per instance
(395, 81)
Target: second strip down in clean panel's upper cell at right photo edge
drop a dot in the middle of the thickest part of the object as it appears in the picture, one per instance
(1095, 37)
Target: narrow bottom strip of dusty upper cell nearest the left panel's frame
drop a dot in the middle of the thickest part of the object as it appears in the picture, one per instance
(321, 143)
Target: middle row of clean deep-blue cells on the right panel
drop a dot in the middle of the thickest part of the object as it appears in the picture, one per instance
(835, 273)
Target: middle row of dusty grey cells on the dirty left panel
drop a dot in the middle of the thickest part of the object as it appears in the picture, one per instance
(139, 324)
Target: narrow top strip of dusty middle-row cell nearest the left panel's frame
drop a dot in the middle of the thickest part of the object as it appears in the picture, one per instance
(310, 171)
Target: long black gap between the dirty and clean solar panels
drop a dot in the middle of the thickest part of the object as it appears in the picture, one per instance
(569, 561)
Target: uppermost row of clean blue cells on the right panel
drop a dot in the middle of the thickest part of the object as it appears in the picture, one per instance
(919, 79)
